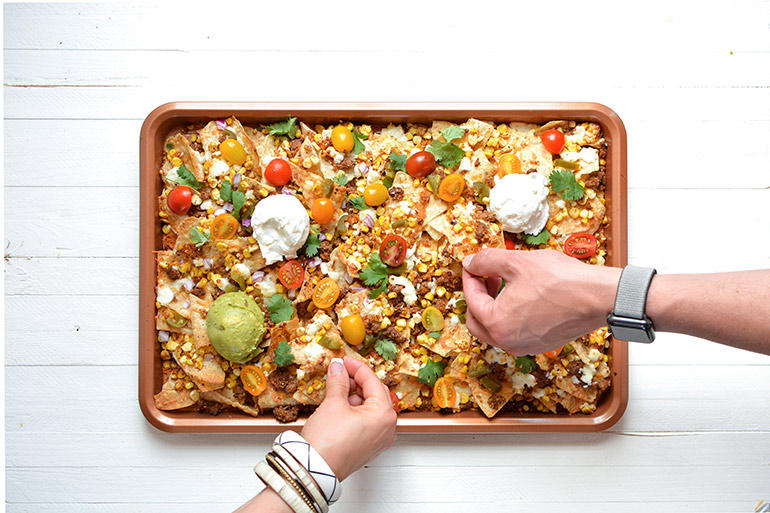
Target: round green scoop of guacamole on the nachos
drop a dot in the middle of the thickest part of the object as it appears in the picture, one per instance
(236, 326)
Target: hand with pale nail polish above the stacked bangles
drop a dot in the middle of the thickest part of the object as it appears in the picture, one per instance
(350, 430)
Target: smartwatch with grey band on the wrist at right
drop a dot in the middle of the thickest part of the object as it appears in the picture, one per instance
(628, 320)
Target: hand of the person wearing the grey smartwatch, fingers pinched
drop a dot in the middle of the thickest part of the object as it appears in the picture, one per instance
(548, 300)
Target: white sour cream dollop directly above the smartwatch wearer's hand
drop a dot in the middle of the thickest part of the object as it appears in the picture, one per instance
(520, 202)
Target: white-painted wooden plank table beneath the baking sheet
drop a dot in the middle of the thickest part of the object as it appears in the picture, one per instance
(692, 84)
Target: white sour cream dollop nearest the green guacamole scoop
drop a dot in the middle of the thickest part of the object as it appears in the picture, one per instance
(281, 225)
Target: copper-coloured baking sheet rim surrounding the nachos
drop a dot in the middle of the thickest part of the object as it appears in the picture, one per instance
(166, 117)
